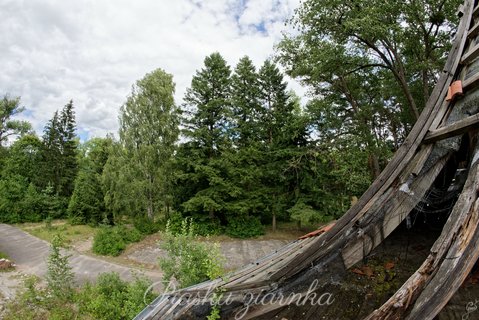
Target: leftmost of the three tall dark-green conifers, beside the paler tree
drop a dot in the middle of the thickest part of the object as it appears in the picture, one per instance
(208, 128)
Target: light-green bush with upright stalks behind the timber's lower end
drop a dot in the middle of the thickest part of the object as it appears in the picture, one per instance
(189, 261)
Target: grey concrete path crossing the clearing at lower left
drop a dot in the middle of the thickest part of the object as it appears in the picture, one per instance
(30, 255)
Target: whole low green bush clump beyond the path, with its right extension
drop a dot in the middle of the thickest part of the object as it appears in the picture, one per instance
(111, 241)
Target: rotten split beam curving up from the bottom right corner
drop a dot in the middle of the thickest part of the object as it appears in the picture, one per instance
(448, 256)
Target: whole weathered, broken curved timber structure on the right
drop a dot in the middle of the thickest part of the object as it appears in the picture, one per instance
(445, 132)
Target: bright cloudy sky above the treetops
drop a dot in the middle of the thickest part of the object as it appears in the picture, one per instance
(93, 51)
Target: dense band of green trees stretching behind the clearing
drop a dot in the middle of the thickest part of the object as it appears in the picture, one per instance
(241, 151)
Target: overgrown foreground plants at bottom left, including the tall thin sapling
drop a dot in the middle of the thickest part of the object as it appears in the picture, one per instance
(109, 298)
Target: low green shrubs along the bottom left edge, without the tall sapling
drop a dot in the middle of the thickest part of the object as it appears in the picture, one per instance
(109, 298)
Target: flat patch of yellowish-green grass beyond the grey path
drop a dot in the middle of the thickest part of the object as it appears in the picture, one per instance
(70, 233)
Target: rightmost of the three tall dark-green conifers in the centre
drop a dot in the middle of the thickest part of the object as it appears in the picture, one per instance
(281, 135)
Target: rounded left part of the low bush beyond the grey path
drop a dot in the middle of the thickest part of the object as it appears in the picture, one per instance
(108, 241)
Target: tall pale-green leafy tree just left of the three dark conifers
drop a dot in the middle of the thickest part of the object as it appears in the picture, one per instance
(148, 132)
